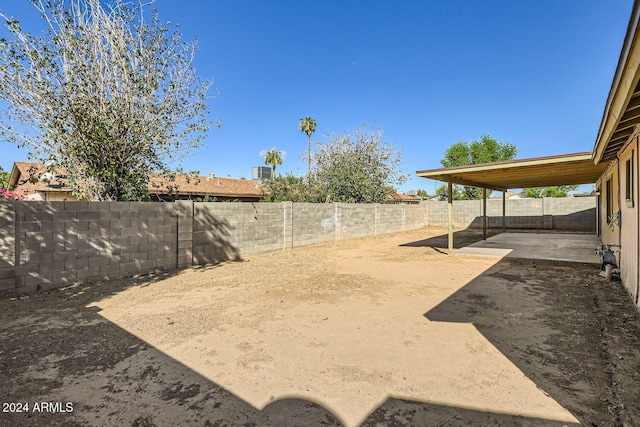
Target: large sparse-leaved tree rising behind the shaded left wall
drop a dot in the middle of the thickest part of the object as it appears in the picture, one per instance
(106, 93)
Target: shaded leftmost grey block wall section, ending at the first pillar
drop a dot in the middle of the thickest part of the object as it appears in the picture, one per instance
(60, 243)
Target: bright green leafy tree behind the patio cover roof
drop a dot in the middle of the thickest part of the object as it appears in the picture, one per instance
(485, 150)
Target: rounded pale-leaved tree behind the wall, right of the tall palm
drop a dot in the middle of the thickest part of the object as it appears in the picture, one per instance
(357, 167)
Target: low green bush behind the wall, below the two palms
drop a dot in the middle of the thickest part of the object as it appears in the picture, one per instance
(293, 189)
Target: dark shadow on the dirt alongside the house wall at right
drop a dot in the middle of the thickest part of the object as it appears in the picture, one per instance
(570, 331)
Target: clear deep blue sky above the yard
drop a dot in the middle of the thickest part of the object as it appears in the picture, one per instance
(429, 73)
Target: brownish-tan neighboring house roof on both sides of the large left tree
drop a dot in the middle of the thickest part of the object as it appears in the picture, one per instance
(23, 173)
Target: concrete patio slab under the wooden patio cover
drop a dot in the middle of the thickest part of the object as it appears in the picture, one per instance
(554, 247)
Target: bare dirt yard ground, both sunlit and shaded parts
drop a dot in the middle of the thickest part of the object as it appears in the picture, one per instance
(382, 331)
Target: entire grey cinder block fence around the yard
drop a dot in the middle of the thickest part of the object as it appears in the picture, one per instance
(51, 244)
